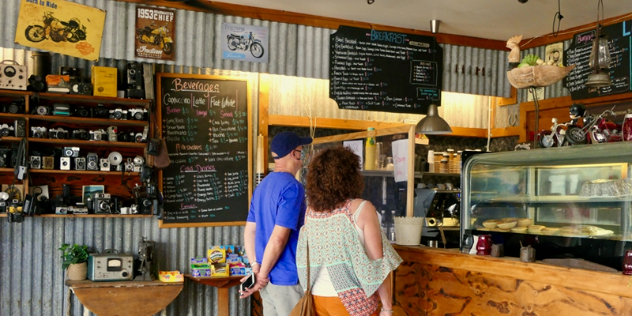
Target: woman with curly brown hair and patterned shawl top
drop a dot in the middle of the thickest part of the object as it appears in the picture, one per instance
(349, 257)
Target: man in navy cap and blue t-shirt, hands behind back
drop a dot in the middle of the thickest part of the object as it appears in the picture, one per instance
(277, 212)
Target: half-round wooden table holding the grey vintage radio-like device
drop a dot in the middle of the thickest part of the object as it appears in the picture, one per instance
(129, 298)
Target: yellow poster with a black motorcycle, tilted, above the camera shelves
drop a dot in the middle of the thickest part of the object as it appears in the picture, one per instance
(62, 27)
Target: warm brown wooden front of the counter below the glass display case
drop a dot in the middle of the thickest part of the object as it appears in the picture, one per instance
(434, 281)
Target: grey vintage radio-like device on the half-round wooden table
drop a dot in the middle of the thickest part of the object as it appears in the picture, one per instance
(110, 265)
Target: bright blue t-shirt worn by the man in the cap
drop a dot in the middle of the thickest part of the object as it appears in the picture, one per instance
(278, 200)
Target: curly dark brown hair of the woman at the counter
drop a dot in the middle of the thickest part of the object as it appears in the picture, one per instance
(333, 177)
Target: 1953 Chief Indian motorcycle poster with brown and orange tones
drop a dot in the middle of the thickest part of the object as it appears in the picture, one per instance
(155, 33)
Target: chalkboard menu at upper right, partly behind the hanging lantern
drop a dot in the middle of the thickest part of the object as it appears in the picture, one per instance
(619, 43)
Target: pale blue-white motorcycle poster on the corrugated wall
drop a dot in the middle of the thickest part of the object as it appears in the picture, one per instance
(245, 42)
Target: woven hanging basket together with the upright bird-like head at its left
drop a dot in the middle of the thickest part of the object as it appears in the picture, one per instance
(532, 76)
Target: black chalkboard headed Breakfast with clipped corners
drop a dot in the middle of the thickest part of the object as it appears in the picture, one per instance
(384, 71)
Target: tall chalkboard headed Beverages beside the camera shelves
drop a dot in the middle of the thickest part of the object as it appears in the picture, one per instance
(204, 120)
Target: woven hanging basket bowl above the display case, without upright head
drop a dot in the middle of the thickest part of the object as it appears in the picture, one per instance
(537, 76)
